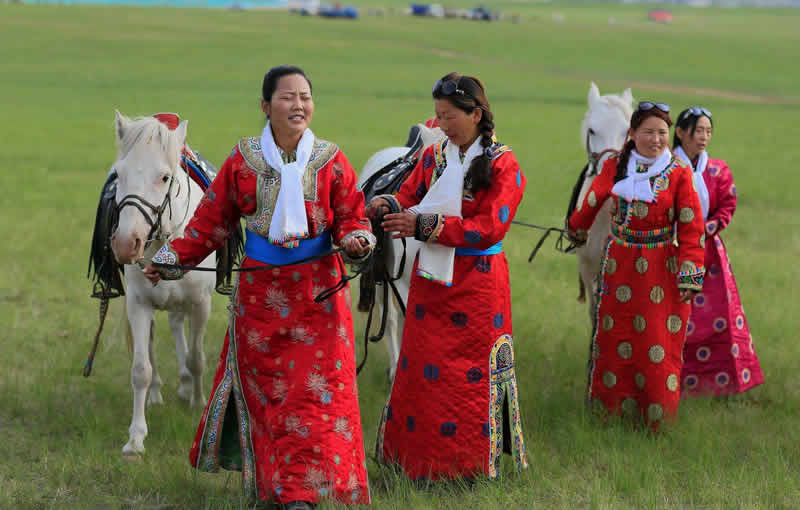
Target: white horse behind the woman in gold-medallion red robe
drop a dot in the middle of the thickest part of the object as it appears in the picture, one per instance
(604, 127)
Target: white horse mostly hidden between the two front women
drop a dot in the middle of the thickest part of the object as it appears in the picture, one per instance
(394, 251)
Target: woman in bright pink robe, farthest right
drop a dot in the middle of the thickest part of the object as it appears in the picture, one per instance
(719, 357)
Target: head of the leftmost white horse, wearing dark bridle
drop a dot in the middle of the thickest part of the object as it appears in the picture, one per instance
(147, 168)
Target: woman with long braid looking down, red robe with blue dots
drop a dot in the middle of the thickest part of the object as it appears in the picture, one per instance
(454, 405)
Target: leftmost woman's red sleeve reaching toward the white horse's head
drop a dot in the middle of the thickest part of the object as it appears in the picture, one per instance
(214, 219)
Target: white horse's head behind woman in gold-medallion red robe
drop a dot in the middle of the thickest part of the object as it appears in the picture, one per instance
(605, 125)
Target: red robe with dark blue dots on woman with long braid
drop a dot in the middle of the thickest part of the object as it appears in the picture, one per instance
(454, 406)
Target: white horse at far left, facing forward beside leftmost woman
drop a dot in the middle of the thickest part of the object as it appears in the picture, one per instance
(156, 198)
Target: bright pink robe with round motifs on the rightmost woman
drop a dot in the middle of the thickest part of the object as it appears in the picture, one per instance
(719, 357)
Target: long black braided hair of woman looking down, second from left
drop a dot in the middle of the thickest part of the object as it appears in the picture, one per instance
(479, 174)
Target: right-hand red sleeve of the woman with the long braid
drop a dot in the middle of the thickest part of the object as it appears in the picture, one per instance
(498, 204)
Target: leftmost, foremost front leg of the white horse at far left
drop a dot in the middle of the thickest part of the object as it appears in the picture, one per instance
(140, 318)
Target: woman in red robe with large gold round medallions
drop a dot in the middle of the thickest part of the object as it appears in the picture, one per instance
(652, 267)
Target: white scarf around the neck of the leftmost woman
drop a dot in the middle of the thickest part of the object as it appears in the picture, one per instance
(289, 222)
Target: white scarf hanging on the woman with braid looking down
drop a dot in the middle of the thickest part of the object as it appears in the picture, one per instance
(444, 197)
